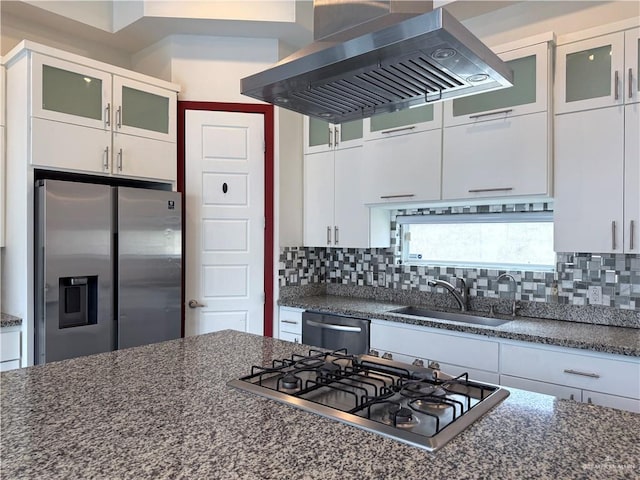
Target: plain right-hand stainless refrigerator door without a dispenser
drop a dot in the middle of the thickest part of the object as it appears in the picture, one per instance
(149, 266)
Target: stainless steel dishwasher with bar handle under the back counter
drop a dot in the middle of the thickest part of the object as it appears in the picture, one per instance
(334, 332)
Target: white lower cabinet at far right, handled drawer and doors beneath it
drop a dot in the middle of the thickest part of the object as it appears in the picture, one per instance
(603, 379)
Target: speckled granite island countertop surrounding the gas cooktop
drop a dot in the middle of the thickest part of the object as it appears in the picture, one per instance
(165, 411)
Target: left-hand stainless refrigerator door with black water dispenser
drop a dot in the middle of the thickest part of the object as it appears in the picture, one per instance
(74, 273)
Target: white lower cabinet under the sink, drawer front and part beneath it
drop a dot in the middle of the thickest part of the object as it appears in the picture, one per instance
(470, 353)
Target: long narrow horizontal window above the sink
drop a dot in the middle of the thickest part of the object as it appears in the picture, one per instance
(494, 240)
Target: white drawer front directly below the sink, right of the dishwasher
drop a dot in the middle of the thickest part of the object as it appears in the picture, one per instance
(420, 342)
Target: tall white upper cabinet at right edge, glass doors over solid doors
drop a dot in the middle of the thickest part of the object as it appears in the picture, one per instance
(597, 154)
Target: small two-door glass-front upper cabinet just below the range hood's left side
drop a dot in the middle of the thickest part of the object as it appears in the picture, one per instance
(322, 136)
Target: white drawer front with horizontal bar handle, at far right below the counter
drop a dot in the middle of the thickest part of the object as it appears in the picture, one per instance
(599, 374)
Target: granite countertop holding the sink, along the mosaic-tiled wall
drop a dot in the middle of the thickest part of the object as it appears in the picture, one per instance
(601, 338)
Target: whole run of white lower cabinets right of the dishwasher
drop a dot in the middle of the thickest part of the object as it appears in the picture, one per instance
(566, 373)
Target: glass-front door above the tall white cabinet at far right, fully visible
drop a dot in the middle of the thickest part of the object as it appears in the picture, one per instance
(590, 73)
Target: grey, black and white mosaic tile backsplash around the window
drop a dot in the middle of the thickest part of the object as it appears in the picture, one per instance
(618, 275)
